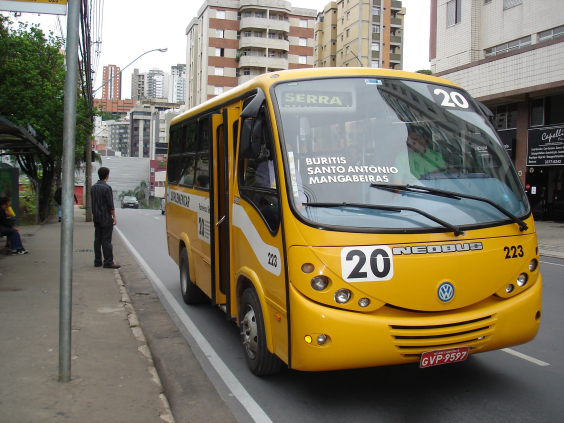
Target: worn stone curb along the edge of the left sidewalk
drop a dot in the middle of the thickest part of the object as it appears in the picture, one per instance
(166, 414)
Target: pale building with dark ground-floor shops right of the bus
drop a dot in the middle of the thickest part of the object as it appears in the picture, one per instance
(509, 54)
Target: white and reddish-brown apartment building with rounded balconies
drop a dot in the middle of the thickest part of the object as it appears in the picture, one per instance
(232, 41)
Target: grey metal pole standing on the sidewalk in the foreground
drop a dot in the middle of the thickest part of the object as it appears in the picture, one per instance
(67, 226)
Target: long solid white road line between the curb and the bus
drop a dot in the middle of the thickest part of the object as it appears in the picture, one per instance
(255, 411)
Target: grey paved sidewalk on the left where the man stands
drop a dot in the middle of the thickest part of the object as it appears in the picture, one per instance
(110, 373)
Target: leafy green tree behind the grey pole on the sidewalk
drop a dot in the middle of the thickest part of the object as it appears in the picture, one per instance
(32, 78)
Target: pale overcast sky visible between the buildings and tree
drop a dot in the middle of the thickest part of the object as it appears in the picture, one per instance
(132, 27)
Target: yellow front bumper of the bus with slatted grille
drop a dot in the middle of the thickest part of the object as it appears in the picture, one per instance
(392, 336)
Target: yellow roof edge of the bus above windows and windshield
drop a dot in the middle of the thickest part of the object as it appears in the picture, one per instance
(265, 80)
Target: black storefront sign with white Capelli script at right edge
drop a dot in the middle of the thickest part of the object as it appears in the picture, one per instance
(545, 146)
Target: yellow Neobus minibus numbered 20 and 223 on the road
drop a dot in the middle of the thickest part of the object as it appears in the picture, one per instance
(352, 217)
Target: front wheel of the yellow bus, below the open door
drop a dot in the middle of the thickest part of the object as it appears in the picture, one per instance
(253, 336)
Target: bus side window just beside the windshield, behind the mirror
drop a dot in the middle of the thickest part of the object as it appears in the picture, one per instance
(257, 178)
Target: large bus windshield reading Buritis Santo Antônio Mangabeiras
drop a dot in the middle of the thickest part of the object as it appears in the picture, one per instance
(343, 135)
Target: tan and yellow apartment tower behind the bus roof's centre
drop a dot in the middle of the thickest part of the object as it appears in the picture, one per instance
(365, 33)
